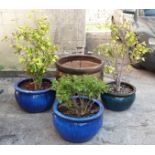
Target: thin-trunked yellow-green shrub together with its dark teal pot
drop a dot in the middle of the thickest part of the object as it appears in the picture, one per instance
(123, 44)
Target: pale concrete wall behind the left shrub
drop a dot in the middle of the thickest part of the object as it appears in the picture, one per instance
(67, 30)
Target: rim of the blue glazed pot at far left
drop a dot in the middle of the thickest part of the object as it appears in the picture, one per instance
(17, 88)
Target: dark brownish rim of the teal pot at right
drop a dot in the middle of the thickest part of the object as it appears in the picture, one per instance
(122, 95)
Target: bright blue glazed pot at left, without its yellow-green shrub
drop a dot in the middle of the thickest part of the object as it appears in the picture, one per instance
(34, 101)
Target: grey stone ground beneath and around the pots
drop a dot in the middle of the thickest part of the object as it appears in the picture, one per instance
(134, 126)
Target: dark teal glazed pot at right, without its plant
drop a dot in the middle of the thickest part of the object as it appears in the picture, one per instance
(119, 102)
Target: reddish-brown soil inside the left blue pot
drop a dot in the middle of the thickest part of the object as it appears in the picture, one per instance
(29, 85)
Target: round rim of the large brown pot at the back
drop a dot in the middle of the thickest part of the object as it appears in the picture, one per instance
(94, 69)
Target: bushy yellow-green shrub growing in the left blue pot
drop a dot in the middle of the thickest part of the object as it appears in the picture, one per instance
(35, 50)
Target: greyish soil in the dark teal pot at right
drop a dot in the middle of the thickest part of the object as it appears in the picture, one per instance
(124, 89)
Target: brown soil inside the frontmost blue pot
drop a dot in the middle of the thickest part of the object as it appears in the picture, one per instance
(80, 108)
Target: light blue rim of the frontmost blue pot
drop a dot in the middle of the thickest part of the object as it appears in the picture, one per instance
(75, 119)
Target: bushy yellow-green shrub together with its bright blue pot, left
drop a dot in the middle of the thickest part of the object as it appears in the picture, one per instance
(36, 52)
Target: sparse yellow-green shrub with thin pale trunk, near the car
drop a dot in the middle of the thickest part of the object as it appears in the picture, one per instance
(123, 43)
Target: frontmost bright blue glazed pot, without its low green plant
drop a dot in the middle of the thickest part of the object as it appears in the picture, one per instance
(77, 130)
